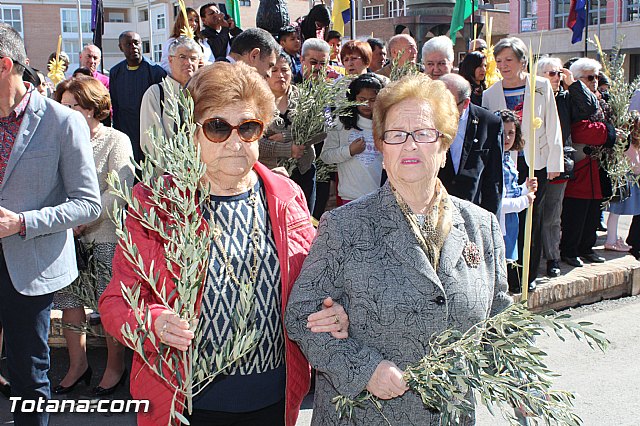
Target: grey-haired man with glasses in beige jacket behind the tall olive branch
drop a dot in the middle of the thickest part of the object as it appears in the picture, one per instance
(185, 56)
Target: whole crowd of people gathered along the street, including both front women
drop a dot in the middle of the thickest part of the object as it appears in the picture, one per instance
(431, 175)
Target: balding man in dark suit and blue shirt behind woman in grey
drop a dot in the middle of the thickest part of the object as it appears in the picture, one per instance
(473, 170)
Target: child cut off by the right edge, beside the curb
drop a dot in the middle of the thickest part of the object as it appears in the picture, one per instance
(631, 205)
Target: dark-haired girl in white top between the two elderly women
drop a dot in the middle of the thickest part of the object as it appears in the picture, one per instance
(350, 144)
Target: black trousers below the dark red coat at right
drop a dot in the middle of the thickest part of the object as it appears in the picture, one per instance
(580, 220)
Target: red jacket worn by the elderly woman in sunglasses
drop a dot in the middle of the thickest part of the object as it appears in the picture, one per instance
(293, 234)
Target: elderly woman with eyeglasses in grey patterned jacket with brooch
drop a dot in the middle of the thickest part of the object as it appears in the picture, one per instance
(407, 261)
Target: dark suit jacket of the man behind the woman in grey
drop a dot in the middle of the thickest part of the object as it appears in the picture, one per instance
(479, 178)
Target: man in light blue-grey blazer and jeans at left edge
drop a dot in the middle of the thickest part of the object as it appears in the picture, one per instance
(48, 185)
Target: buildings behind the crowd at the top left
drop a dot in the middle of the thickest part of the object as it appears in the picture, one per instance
(41, 21)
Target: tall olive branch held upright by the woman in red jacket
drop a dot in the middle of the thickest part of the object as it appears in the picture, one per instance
(173, 214)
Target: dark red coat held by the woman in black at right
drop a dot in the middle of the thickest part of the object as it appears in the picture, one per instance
(586, 183)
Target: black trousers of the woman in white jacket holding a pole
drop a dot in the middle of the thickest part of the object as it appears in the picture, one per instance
(536, 225)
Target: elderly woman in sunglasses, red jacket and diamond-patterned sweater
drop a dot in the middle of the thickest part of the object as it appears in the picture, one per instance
(263, 234)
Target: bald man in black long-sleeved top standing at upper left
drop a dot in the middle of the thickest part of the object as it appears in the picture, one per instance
(129, 80)
